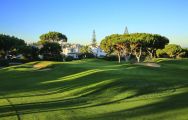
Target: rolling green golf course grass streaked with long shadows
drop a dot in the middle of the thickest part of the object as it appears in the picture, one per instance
(95, 90)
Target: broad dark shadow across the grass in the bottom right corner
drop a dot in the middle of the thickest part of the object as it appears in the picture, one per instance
(171, 103)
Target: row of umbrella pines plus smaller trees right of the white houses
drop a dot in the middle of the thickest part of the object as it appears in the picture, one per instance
(137, 45)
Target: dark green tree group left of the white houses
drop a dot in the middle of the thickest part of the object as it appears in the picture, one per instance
(47, 46)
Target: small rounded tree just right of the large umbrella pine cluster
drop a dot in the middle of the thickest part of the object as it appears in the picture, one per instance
(173, 50)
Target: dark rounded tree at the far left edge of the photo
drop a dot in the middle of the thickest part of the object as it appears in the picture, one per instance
(9, 43)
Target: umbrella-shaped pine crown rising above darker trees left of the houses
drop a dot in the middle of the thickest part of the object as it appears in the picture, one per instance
(53, 37)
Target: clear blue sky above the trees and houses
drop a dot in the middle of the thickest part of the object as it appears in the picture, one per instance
(28, 19)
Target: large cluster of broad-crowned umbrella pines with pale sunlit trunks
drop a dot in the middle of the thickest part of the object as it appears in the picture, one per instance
(133, 44)
